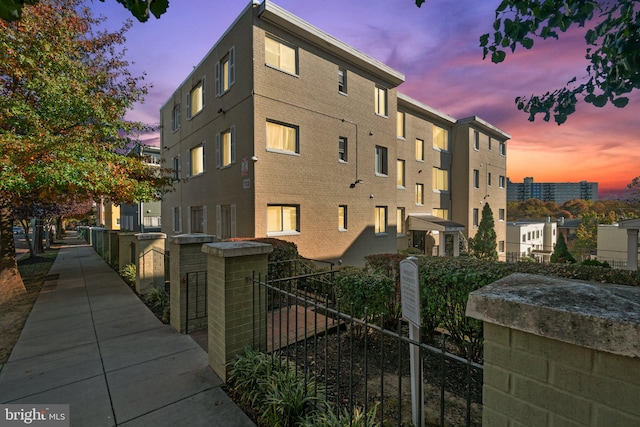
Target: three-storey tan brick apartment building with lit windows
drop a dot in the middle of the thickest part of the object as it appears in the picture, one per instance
(285, 131)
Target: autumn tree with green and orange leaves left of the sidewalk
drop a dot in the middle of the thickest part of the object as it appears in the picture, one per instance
(64, 92)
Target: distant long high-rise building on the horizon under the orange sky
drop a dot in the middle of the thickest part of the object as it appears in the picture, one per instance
(558, 192)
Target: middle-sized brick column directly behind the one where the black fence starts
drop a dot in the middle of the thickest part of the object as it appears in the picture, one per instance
(186, 257)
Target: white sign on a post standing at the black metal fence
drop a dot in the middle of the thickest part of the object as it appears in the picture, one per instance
(410, 300)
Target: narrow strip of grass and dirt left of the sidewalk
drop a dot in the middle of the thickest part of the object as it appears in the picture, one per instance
(14, 312)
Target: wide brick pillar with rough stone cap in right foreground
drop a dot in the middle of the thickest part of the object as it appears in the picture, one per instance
(559, 352)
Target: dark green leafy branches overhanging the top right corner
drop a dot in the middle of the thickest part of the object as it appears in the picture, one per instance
(612, 34)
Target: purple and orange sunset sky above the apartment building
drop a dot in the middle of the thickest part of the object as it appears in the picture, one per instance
(436, 47)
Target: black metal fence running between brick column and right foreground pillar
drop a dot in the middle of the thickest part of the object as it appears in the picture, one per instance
(362, 363)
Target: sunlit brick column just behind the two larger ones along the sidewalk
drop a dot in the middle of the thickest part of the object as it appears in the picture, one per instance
(150, 261)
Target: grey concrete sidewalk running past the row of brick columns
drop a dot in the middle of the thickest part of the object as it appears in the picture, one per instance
(91, 343)
